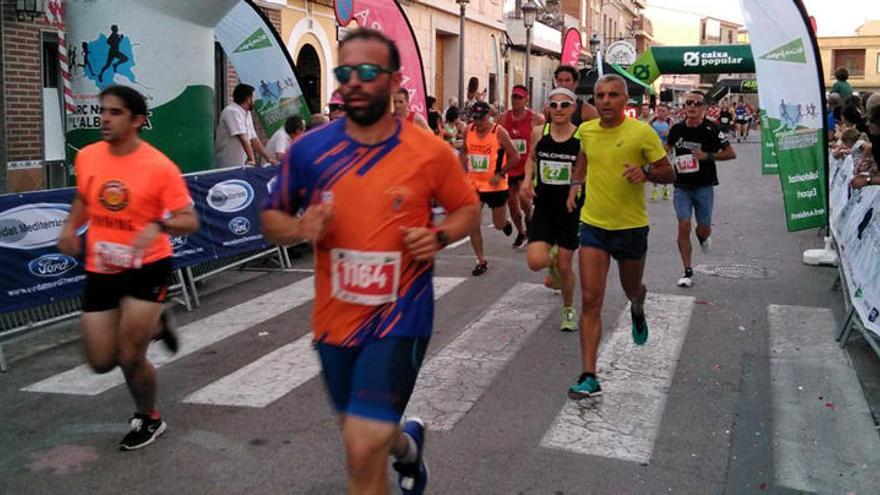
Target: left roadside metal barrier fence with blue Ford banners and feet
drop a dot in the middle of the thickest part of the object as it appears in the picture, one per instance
(40, 286)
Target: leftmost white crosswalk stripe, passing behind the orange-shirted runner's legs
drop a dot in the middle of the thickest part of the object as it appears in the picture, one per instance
(193, 337)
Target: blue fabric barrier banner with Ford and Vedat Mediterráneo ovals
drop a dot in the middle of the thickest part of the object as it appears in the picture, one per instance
(33, 272)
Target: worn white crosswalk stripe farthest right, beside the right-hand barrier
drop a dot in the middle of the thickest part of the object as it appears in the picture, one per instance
(815, 441)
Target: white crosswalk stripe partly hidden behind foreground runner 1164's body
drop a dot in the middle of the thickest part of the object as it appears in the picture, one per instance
(281, 371)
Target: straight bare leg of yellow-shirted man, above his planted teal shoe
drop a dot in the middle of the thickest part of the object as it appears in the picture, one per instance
(594, 265)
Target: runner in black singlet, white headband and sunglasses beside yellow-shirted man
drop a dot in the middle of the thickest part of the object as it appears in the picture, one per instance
(553, 229)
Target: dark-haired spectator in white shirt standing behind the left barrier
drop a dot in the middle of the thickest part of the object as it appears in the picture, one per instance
(237, 143)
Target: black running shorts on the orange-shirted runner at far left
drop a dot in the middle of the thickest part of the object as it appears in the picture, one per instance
(148, 283)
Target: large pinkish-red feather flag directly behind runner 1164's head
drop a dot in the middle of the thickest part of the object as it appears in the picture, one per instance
(390, 18)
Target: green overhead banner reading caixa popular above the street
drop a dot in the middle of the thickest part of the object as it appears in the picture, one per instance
(699, 59)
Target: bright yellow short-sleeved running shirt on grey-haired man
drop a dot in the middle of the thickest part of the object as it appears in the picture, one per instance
(612, 203)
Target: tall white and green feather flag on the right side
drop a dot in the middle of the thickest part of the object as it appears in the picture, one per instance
(791, 105)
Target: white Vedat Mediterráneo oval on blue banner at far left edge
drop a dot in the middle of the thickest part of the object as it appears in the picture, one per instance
(32, 226)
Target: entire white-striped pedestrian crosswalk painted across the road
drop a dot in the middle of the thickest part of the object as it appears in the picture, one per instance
(623, 424)
